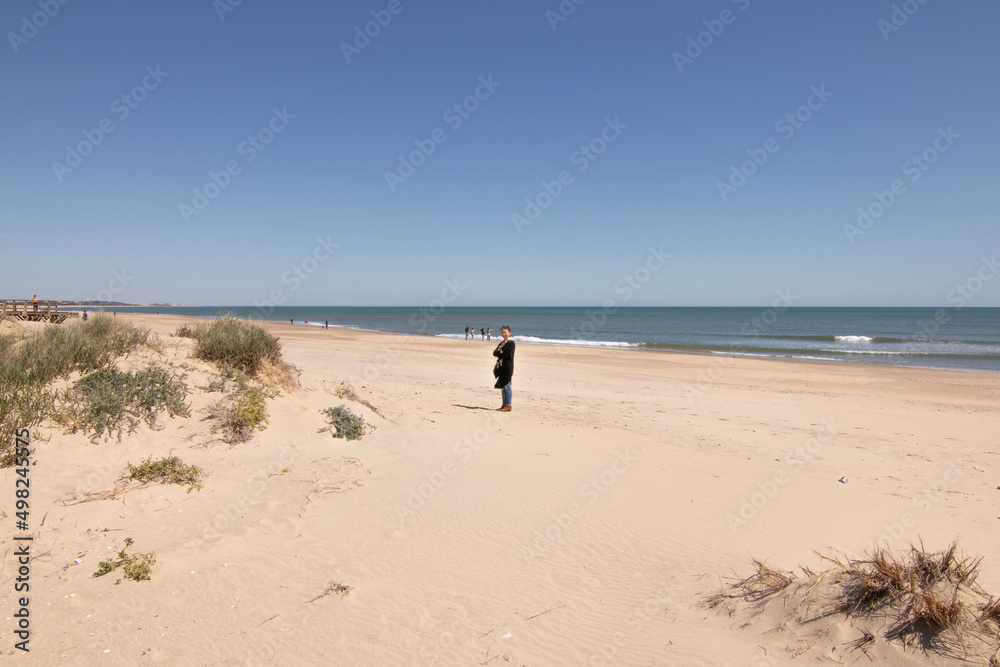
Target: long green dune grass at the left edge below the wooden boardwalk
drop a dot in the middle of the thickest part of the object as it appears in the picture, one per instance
(29, 363)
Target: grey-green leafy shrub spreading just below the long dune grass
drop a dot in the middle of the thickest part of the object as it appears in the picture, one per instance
(112, 402)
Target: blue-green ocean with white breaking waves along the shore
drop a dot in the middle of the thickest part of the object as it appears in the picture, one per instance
(953, 338)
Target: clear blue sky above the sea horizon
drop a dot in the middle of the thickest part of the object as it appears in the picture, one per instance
(673, 99)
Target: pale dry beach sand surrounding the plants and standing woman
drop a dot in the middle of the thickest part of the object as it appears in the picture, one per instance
(585, 527)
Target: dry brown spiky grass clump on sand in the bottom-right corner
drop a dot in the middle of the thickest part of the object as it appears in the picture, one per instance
(927, 599)
